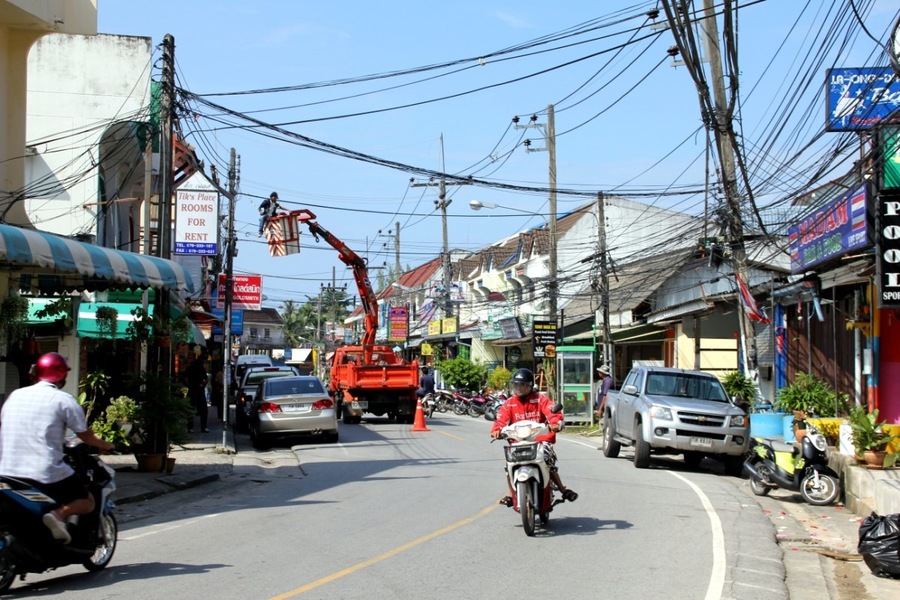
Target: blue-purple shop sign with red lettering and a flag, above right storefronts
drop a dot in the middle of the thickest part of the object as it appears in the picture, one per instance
(832, 231)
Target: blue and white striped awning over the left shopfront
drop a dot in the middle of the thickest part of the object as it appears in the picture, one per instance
(39, 254)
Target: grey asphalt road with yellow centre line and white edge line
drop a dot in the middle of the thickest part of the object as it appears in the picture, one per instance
(390, 513)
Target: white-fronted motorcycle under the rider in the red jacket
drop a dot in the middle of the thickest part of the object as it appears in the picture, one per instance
(528, 466)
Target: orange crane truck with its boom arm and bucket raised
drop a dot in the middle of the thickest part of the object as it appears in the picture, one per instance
(368, 378)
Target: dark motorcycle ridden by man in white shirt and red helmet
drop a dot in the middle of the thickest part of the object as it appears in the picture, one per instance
(26, 544)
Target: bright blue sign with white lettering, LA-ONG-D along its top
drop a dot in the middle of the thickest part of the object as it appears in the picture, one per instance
(859, 98)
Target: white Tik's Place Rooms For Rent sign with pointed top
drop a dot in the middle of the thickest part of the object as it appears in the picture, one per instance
(196, 217)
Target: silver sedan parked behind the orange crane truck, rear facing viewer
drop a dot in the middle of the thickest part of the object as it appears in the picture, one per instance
(292, 406)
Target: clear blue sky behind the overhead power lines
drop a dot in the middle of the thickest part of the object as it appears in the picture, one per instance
(626, 121)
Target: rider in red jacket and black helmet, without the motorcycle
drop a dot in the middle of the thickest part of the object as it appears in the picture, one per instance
(527, 404)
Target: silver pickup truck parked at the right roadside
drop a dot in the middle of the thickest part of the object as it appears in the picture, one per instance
(673, 411)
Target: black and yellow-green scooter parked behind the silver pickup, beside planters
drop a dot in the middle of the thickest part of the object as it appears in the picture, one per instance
(773, 464)
